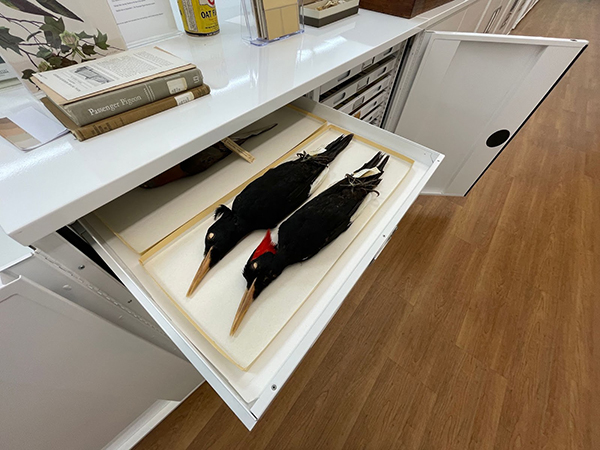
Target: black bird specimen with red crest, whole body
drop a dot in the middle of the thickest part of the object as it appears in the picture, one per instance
(311, 228)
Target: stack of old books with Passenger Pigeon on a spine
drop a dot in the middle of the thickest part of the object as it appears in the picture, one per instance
(96, 97)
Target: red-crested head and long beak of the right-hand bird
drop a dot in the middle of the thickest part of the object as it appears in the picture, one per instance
(262, 268)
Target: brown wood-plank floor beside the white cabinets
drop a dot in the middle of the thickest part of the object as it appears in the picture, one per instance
(474, 328)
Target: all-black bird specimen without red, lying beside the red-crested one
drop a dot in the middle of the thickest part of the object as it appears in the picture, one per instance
(265, 202)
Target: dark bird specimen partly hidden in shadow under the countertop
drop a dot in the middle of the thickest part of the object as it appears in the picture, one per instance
(202, 160)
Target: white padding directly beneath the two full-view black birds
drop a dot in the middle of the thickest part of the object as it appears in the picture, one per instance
(213, 306)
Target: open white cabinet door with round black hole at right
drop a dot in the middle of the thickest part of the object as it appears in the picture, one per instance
(467, 95)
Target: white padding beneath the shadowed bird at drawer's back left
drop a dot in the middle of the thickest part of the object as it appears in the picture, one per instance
(142, 217)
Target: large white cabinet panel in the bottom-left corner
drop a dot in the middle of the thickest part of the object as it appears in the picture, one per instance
(72, 380)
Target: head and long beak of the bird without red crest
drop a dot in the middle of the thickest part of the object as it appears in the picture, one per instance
(220, 238)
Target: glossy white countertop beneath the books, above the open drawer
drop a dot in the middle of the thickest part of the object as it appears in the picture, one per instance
(47, 188)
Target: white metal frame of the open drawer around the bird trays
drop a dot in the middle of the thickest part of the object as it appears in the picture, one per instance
(248, 393)
